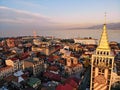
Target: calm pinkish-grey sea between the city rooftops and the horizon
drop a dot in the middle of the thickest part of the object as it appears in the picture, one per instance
(113, 35)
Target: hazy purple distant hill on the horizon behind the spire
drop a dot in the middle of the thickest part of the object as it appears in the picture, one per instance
(113, 26)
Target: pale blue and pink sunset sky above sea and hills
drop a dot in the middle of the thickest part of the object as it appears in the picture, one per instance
(55, 14)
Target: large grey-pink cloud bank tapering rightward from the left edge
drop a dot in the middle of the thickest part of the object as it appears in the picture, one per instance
(19, 16)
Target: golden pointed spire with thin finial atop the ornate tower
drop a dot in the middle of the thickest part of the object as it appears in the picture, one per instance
(103, 43)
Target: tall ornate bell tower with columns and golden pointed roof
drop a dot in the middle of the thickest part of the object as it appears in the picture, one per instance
(102, 64)
